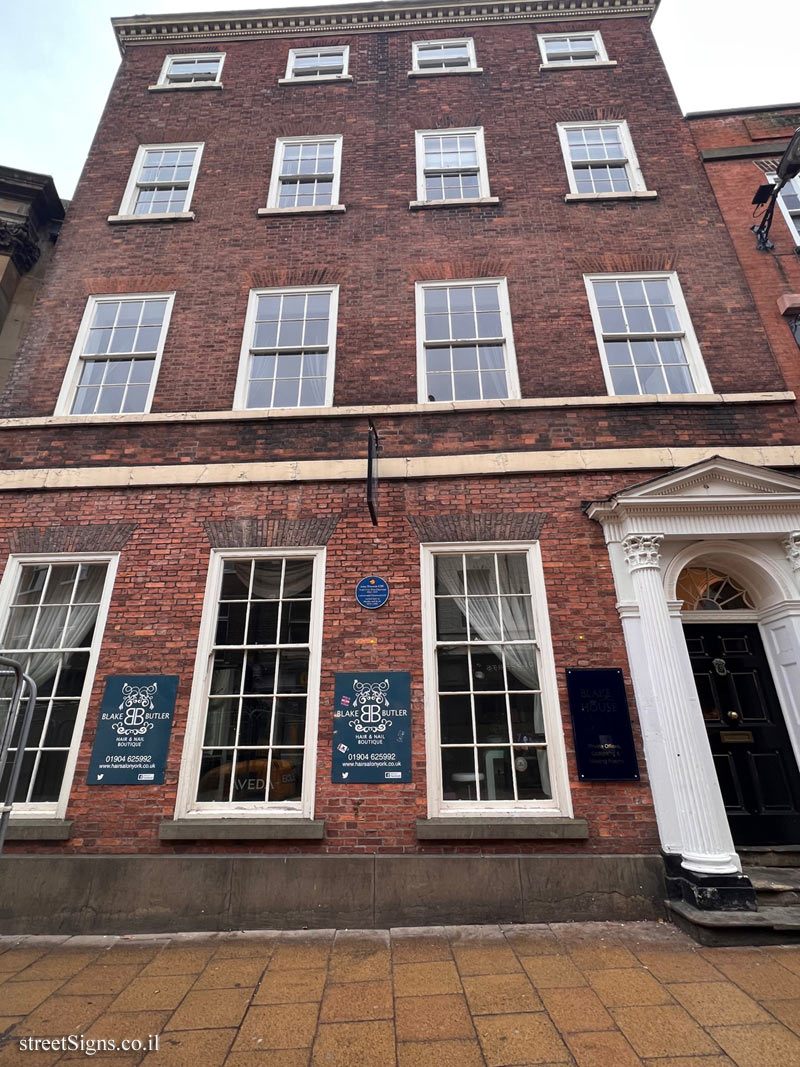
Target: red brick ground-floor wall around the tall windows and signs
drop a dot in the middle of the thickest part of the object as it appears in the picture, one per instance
(156, 611)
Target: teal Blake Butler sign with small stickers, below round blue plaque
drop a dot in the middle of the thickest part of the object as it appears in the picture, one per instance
(372, 727)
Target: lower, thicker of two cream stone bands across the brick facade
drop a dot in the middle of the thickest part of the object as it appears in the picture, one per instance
(486, 465)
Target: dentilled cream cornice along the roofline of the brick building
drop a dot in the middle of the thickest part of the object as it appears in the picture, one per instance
(359, 19)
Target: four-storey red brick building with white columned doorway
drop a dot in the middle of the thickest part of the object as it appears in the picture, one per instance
(481, 244)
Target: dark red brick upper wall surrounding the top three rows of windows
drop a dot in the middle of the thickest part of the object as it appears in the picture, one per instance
(379, 249)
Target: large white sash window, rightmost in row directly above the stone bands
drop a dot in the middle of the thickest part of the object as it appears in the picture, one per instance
(645, 335)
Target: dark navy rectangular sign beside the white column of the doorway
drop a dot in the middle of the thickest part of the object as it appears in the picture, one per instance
(604, 741)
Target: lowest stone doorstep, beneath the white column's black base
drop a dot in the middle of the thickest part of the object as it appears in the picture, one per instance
(769, 926)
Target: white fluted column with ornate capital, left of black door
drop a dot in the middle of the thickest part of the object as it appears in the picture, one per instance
(707, 845)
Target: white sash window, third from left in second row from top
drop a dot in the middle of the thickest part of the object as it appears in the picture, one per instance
(452, 165)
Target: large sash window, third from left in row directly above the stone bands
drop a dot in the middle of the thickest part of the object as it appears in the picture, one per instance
(467, 346)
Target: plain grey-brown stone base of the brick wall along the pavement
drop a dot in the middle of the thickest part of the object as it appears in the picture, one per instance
(113, 895)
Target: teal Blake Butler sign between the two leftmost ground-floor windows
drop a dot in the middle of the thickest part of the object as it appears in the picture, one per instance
(134, 730)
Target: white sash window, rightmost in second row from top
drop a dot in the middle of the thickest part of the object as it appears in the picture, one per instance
(600, 158)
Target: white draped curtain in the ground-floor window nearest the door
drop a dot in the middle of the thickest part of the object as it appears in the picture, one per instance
(485, 619)
